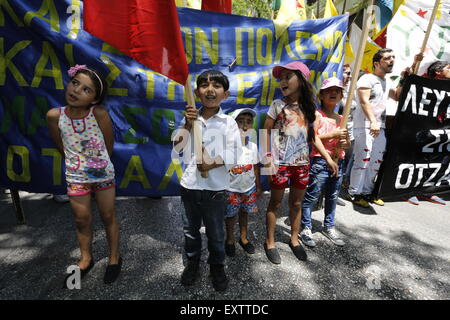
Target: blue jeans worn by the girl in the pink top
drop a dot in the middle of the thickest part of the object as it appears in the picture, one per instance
(320, 179)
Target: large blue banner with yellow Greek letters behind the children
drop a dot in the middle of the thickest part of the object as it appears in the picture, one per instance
(40, 40)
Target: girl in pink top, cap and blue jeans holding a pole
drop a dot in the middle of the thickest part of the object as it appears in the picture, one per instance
(320, 177)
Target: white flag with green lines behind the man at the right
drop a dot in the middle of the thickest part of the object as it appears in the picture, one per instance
(405, 35)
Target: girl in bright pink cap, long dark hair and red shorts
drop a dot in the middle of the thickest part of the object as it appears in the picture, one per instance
(294, 118)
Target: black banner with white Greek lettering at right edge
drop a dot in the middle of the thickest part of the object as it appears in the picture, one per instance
(418, 151)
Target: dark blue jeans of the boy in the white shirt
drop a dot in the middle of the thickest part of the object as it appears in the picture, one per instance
(209, 207)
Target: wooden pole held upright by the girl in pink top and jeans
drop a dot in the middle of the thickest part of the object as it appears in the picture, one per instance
(355, 71)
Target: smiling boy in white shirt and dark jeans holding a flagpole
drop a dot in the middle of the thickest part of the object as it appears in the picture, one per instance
(204, 197)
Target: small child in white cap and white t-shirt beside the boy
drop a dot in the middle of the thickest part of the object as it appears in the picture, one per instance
(245, 186)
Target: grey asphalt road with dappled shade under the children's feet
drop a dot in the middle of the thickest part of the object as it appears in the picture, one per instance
(399, 251)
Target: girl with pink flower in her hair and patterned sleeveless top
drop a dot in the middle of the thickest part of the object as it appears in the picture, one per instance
(83, 134)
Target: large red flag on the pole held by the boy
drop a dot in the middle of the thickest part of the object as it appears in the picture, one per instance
(148, 31)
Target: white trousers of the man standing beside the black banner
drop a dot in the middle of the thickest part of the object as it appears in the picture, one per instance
(368, 152)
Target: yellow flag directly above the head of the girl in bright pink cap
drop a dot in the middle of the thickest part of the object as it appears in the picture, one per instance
(290, 10)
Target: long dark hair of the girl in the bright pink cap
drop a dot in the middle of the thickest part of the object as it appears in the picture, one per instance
(307, 103)
